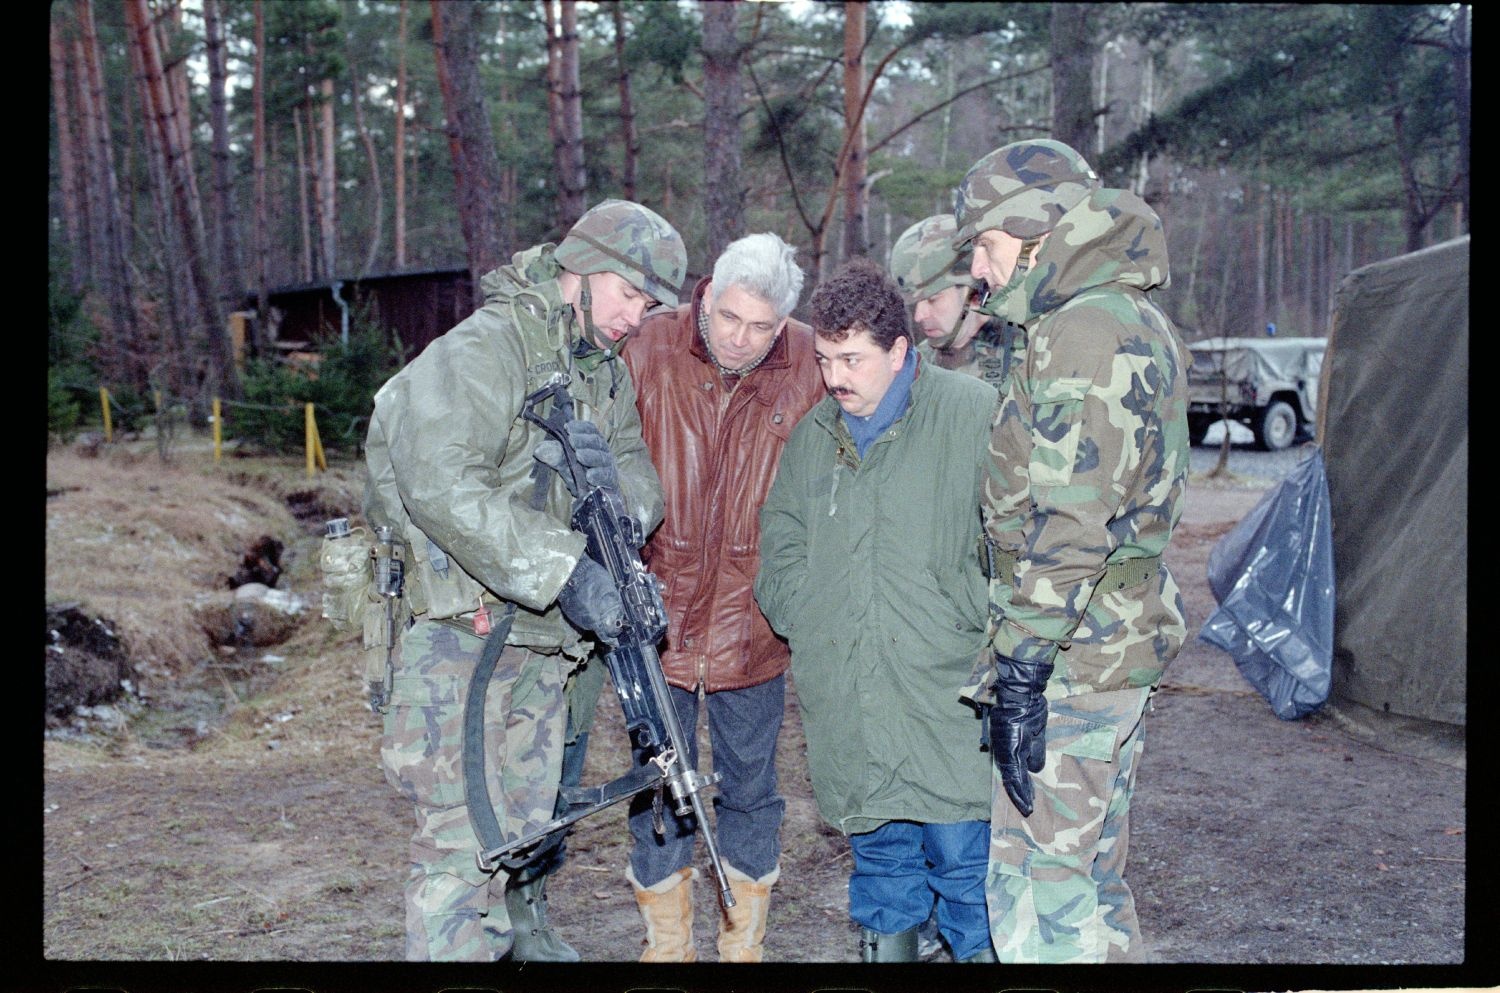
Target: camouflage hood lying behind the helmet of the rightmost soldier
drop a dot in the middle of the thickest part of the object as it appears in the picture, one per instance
(1114, 238)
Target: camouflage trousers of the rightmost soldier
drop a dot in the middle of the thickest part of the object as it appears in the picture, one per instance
(1055, 887)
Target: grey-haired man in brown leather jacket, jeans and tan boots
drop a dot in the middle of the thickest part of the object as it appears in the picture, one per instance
(721, 382)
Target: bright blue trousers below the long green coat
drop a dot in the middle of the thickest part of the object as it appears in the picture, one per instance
(899, 868)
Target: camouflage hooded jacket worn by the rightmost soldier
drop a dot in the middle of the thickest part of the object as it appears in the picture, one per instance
(1090, 458)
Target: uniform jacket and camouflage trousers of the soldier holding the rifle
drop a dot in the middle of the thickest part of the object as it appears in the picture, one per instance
(451, 467)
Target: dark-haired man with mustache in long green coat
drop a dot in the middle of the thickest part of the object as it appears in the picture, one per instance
(871, 569)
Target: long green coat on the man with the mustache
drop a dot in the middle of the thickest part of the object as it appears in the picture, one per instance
(869, 568)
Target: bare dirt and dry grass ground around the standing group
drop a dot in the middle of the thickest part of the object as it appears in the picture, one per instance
(239, 814)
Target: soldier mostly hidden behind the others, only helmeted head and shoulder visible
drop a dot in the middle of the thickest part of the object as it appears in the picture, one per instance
(937, 284)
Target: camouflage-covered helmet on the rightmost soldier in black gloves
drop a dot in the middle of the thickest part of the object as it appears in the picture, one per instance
(1022, 188)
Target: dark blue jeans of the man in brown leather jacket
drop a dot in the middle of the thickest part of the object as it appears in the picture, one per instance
(743, 727)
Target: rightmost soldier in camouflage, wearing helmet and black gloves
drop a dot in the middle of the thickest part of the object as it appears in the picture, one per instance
(1090, 463)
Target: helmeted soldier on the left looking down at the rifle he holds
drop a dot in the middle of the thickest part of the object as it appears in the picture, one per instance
(458, 473)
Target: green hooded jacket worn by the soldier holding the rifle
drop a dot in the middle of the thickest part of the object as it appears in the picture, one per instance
(451, 457)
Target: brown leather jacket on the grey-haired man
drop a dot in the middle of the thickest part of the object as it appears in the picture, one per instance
(716, 443)
